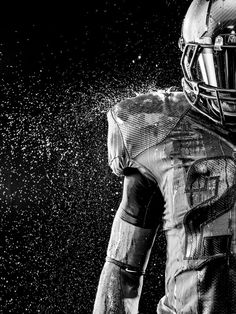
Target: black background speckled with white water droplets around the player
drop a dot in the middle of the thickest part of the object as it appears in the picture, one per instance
(61, 68)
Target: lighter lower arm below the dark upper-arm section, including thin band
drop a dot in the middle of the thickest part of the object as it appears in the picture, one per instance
(121, 280)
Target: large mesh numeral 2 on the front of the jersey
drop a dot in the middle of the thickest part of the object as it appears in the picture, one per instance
(210, 189)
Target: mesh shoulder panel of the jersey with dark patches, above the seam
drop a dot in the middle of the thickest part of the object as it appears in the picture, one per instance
(146, 120)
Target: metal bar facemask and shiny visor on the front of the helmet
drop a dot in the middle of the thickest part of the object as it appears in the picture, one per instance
(210, 77)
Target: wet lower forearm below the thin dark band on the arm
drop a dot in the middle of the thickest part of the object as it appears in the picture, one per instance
(118, 291)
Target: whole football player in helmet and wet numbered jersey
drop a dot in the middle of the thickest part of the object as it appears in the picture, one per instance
(180, 145)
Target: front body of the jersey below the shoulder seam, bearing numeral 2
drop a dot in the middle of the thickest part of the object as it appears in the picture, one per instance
(196, 171)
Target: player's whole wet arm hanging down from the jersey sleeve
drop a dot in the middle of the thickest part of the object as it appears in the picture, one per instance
(133, 232)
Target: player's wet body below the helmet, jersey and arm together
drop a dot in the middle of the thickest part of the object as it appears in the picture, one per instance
(163, 146)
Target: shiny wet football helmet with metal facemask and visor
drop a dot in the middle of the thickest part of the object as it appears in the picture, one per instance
(208, 44)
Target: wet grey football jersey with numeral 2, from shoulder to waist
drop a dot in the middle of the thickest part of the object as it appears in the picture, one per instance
(193, 163)
